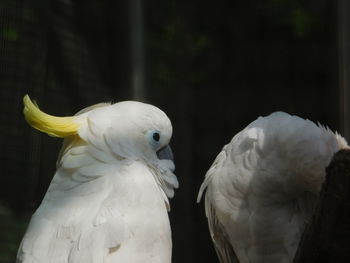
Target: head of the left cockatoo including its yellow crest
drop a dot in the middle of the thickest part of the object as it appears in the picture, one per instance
(126, 130)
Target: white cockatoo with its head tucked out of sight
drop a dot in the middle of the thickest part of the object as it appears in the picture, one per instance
(262, 187)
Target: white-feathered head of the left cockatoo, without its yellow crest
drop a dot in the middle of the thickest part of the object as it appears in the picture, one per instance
(130, 129)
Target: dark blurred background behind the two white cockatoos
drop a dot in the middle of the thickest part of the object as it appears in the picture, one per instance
(212, 66)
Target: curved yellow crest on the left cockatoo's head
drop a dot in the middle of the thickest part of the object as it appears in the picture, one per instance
(52, 125)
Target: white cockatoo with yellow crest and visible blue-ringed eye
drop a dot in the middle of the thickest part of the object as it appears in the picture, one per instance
(108, 200)
